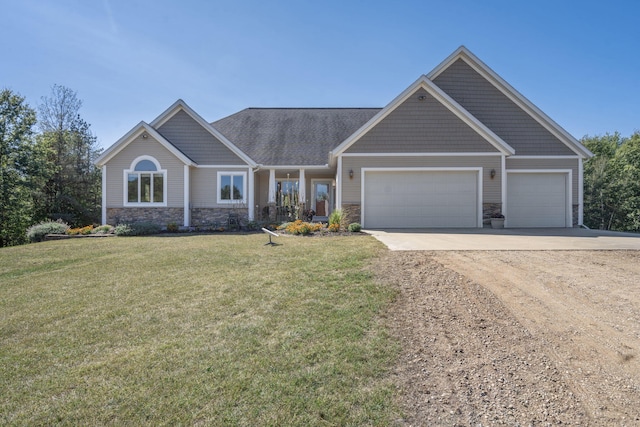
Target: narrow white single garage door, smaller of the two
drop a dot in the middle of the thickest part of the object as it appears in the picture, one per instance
(537, 199)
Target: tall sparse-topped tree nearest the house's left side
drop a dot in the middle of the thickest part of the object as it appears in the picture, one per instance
(72, 191)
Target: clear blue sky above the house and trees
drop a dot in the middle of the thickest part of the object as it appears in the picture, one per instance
(579, 61)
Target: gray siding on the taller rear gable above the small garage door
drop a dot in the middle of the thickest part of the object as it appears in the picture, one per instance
(489, 105)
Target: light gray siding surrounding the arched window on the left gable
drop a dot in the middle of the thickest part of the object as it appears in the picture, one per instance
(141, 147)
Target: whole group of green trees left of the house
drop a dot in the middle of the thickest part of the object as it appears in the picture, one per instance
(47, 169)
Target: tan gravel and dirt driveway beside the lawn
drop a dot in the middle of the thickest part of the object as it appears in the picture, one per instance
(517, 338)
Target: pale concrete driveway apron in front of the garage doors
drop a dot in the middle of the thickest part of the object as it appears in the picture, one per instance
(532, 239)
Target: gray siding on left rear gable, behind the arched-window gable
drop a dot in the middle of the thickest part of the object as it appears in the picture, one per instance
(196, 142)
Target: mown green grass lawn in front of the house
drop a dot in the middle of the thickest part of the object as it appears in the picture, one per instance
(207, 329)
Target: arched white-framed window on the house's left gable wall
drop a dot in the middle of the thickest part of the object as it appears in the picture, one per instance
(145, 183)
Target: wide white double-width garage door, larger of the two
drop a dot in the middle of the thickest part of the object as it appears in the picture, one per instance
(420, 199)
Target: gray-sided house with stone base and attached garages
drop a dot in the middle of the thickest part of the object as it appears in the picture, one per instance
(456, 146)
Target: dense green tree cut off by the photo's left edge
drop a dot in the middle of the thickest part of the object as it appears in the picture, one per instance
(19, 167)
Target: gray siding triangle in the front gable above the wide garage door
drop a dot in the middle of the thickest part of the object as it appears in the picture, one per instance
(421, 127)
